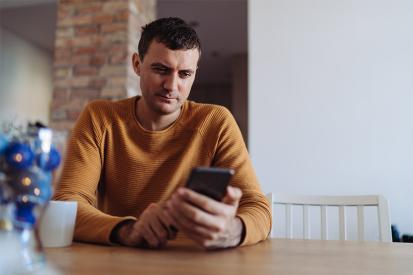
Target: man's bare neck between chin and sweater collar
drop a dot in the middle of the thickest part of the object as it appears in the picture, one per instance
(153, 121)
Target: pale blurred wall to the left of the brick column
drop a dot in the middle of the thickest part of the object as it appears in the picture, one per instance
(25, 80)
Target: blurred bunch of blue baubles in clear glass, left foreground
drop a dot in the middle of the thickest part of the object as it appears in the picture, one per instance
(26, 162)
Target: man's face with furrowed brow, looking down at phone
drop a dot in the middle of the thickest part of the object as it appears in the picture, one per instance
(166, 77)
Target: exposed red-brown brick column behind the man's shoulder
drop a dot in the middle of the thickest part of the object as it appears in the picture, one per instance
(93, 48)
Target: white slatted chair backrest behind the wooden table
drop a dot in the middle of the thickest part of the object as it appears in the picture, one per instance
(342, 202)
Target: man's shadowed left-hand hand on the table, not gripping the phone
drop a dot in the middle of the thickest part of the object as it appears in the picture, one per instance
(151, 230)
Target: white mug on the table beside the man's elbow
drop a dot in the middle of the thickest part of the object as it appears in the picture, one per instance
(58, 223)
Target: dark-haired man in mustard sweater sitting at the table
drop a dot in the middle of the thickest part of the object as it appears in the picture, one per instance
(127, 161)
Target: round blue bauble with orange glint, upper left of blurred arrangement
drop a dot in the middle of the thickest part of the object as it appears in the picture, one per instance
(19, 155)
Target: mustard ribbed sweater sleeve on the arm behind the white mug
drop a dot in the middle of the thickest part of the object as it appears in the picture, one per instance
(81, 176)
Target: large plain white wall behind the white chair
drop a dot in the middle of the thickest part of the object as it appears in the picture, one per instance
(331, 98)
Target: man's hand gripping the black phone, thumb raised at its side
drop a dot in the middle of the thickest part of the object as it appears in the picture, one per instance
(210, 223)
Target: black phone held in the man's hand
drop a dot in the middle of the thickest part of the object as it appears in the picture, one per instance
(210, 181)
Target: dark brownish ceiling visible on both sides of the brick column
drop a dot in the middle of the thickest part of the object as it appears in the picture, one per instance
(221, 25)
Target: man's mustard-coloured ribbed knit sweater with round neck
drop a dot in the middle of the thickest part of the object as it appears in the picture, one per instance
(115, 168)
